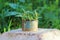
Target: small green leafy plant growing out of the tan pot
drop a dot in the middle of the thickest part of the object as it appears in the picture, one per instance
(29, 15)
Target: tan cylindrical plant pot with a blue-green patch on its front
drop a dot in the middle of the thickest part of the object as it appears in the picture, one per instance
(30, 25)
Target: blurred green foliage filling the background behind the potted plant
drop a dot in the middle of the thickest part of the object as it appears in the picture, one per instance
(49, 11)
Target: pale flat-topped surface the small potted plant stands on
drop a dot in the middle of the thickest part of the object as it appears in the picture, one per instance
(42, 34)
